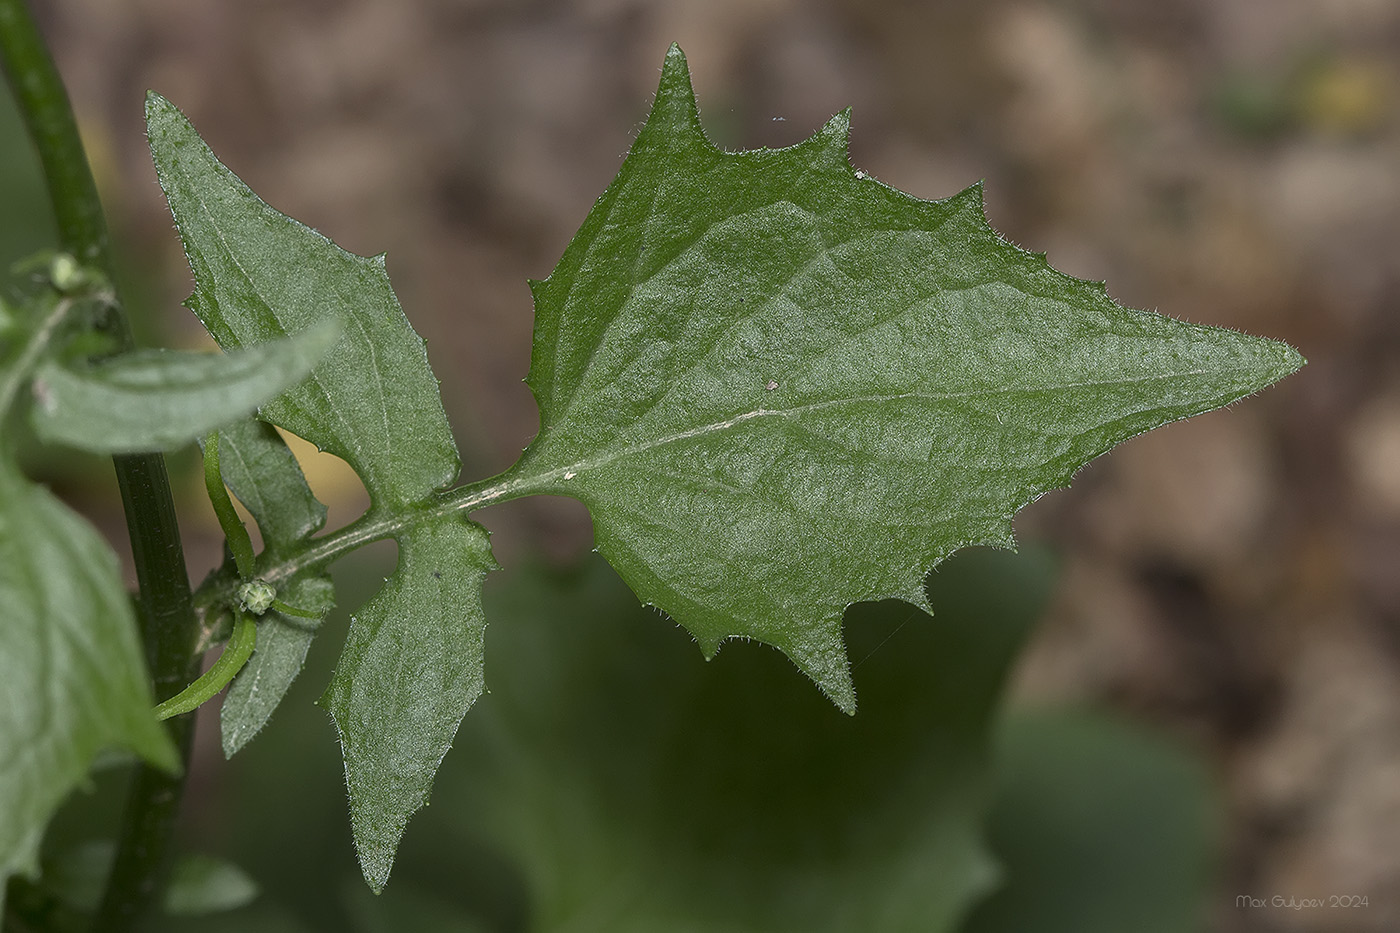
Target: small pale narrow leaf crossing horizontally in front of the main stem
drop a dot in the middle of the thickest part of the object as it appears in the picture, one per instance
(162, 400)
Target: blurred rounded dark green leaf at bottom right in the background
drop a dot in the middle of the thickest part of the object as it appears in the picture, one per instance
(1100, 829)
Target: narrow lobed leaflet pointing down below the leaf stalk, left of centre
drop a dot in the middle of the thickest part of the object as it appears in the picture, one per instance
(411, 669)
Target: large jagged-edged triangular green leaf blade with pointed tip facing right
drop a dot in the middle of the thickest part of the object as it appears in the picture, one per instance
(782, 387)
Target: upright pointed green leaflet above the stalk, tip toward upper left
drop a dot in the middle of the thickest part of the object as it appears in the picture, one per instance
(373, 401)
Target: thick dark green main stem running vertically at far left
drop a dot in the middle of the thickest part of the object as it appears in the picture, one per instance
(167, 618)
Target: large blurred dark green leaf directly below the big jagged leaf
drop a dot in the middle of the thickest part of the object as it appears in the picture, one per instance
(642, 791)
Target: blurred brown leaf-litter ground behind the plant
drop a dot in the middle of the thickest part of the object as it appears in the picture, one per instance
(1227, 162)
